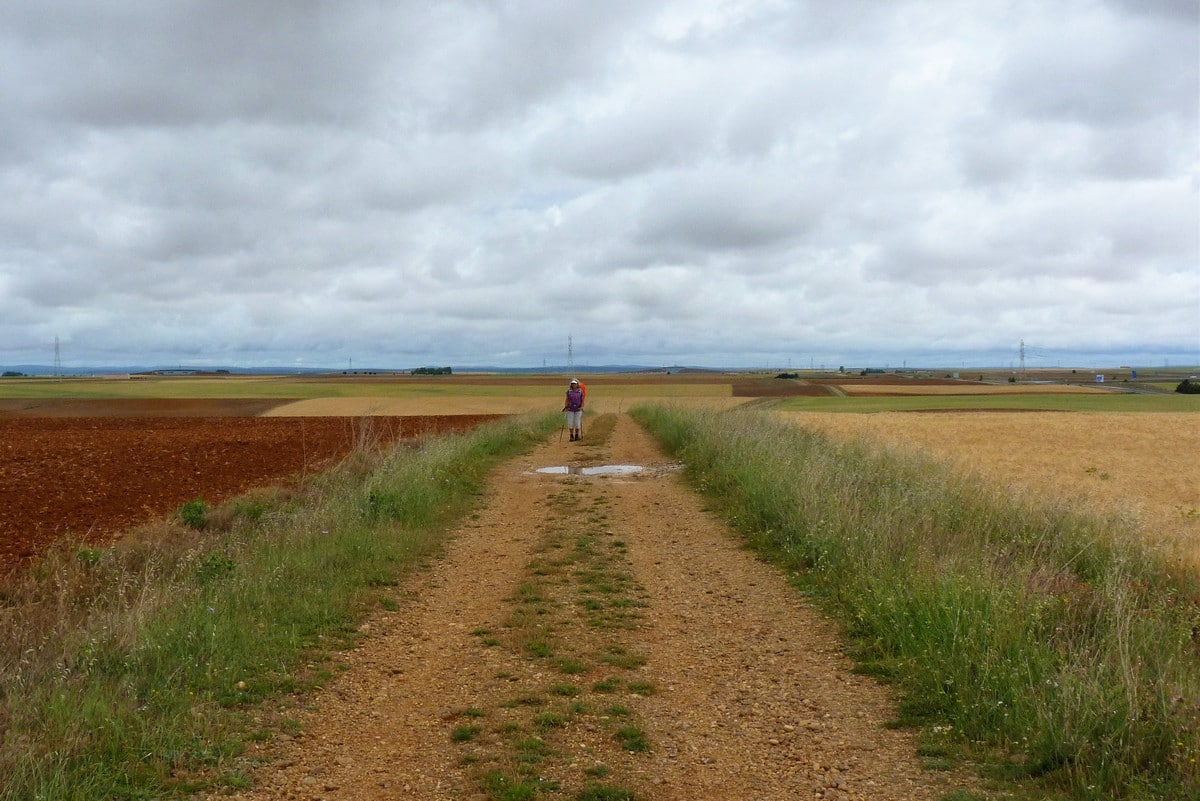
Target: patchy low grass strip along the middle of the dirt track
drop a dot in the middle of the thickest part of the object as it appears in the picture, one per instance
(566, 725)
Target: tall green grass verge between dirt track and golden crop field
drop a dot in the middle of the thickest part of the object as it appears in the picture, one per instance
(1013, 628)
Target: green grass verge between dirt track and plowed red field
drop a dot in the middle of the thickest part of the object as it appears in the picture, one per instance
(141, 671)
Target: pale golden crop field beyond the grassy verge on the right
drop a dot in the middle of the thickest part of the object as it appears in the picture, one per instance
(1142, 465)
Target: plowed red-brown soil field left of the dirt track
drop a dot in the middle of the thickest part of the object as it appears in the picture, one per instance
(94, 477)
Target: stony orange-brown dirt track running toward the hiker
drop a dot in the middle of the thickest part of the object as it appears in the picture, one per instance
(597, 631)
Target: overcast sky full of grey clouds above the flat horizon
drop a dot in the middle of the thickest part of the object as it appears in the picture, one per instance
(728, 184)
